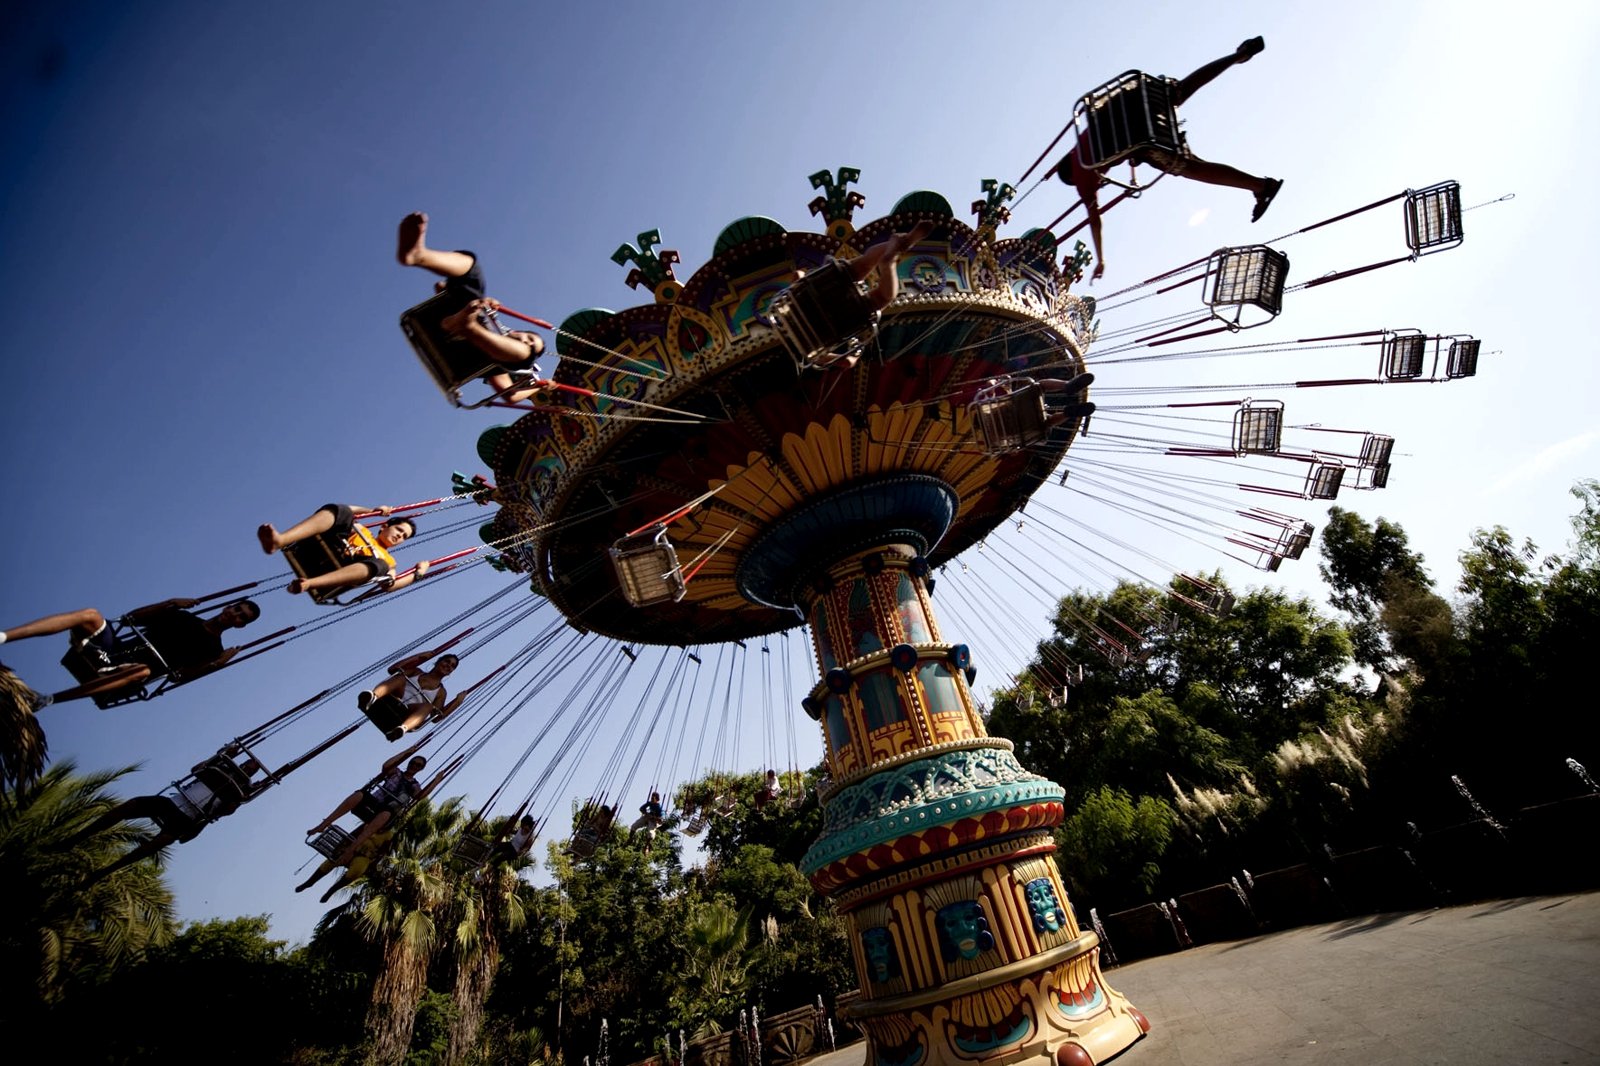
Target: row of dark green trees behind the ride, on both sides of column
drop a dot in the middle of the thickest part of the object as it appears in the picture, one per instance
(1262, 737)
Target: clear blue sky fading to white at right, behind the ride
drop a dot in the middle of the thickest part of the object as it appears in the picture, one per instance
(201, 292)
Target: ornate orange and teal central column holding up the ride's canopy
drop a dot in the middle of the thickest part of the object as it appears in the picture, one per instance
(937, 846)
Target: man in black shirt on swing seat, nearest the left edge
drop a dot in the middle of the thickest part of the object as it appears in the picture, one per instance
(156, 641)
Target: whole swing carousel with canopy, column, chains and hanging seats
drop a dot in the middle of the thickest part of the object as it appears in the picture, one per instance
(762, 447)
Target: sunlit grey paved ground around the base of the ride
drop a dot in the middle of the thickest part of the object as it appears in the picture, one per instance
(1495, 984)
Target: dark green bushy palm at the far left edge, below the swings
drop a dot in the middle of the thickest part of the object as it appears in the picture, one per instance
(55, 926)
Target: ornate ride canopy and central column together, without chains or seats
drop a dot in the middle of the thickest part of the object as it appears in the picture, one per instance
(825, 487)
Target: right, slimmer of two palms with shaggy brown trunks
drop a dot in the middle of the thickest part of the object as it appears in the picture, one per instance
(487, 904)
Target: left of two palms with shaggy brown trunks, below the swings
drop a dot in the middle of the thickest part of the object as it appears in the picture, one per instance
(398, 905)
